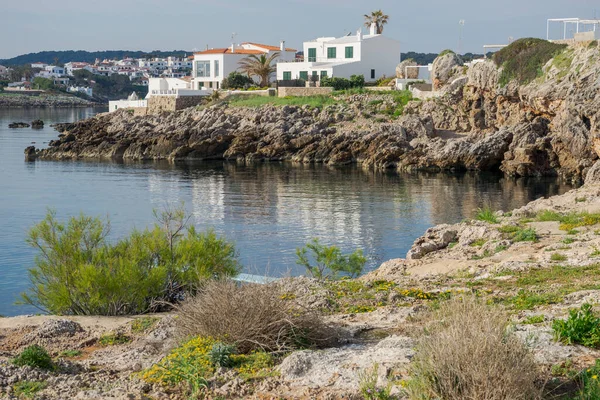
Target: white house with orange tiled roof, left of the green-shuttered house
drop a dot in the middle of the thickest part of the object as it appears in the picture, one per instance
(213, 65)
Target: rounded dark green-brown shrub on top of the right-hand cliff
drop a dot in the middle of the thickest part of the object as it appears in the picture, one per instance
(524, 59)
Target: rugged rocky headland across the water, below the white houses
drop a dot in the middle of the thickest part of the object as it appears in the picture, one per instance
(546, 127)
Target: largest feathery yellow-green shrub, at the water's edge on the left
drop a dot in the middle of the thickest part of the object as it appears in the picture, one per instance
(77, 272)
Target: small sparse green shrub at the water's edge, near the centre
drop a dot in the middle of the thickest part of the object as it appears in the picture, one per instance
(329, 262)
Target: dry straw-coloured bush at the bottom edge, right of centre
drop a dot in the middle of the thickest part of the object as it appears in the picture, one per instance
(468, 353)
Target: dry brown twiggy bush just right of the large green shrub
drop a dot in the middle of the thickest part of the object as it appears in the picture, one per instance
(251, 317)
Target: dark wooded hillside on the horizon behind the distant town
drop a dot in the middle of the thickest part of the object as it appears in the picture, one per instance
(62, 57)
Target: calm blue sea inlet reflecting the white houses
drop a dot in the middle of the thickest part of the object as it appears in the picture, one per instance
(268, 209)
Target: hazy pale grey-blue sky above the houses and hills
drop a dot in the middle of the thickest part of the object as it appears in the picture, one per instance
(420, 25)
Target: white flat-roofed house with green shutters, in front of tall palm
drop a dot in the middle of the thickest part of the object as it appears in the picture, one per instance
(371, 55)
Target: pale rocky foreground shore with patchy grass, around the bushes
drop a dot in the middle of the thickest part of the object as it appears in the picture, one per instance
(529, 261)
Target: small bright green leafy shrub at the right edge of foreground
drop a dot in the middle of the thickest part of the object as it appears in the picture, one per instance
(581, 327)
